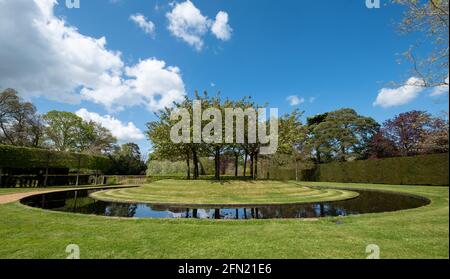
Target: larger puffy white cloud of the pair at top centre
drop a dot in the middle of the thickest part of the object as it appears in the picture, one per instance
(187, 23)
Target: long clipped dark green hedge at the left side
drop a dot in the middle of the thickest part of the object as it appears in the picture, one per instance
(24, 157)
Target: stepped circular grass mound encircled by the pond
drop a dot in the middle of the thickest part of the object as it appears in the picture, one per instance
(226, 192)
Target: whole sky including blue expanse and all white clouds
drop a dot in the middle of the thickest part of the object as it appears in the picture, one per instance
(118, 61)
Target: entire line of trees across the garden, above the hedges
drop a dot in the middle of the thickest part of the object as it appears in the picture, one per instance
(339, 135)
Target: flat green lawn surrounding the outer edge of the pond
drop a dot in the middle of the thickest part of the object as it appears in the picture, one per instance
(417, 233)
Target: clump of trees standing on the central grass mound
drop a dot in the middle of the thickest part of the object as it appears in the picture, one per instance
(164, 149)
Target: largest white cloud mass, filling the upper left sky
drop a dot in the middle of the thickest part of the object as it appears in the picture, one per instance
(41, 55)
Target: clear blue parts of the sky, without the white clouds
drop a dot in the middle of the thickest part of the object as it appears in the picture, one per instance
(330, 53)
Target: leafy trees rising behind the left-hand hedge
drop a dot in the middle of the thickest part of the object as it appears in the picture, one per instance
(21, 125)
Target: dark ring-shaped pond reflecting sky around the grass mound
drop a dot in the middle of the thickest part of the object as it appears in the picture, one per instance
(368, 201)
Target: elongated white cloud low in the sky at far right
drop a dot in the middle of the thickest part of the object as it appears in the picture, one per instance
(390, 97)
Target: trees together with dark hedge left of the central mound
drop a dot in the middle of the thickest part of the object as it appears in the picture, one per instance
(61, 139)
